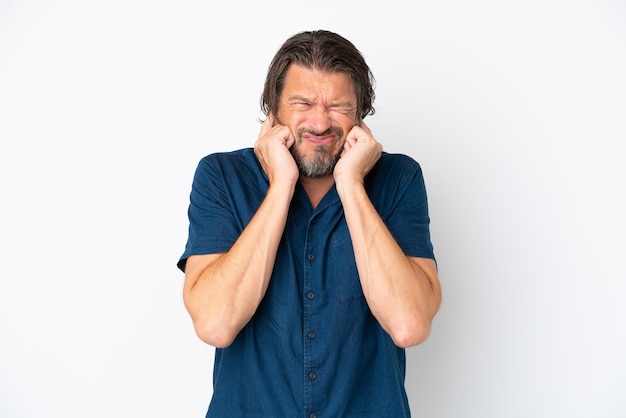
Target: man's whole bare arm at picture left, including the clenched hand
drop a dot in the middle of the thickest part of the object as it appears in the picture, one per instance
(222, 291)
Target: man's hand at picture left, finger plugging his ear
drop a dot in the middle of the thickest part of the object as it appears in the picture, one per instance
(272, 150)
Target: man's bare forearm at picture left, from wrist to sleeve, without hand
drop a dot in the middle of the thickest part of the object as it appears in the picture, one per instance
(222, 292)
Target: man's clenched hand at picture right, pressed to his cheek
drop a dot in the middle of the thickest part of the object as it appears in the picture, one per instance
(360, 152)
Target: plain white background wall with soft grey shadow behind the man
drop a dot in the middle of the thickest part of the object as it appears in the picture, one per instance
(516, 111)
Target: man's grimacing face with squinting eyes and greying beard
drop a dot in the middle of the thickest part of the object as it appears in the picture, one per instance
(320, 110)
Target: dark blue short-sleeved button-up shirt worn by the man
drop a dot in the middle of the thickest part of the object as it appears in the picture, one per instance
(313, 349)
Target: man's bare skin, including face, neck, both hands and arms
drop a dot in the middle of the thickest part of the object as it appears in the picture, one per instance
(316, 117)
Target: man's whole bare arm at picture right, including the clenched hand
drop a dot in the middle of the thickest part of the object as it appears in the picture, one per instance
(402, 292)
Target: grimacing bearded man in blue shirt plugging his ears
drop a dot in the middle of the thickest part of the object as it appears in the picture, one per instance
(309, 264)
